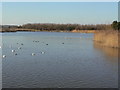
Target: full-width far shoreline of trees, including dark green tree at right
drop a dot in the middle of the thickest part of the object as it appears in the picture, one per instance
(62, 27)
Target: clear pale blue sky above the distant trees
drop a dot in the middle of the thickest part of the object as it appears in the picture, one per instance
(59, 12)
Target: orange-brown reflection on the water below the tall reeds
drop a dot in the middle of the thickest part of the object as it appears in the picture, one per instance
(110, 52)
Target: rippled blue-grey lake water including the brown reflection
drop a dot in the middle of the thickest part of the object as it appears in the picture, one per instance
(59, 60)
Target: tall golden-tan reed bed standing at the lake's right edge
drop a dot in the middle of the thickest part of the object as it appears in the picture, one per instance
(107, 38)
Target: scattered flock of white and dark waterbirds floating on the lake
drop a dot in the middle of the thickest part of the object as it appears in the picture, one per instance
(15, 53)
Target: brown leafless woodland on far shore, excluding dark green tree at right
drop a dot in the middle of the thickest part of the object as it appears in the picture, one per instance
(67, 27)
